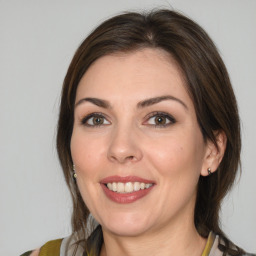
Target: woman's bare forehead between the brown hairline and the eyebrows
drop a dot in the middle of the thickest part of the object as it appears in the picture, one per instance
(142, 73)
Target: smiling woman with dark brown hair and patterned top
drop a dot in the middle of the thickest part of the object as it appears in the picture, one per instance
(148, 139)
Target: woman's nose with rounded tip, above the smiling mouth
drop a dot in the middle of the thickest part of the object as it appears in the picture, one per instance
(124, 146)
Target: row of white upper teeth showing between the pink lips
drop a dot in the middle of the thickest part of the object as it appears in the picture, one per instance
(127, 187)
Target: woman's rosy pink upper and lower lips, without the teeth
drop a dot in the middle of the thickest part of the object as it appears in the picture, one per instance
(125, 198)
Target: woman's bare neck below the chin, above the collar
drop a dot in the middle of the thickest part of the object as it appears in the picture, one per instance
(184, 241)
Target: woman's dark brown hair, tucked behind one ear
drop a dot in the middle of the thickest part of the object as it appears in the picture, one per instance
(207, 82)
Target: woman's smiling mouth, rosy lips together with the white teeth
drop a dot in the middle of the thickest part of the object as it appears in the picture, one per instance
(126, 189)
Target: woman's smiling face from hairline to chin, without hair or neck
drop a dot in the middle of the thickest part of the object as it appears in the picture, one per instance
(136, 144)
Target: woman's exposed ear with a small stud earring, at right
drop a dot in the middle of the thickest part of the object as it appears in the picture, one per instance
(214, 153)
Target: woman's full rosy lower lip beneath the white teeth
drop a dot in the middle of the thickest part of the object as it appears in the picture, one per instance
(125, 198)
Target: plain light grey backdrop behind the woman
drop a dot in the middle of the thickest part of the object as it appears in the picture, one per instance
(37, 42)
